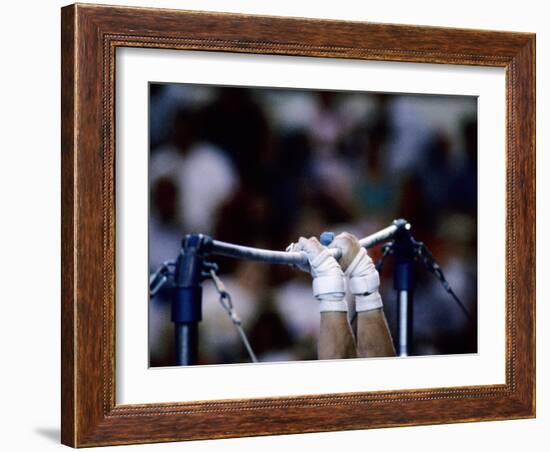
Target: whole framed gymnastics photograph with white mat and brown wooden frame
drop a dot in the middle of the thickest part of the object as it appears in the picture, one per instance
(282, 225)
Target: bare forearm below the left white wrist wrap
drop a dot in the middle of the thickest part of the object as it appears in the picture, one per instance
(335, 337)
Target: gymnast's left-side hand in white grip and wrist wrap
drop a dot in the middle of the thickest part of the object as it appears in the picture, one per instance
(328, 279)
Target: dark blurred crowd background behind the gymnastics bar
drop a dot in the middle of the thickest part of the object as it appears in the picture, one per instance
(262, 167)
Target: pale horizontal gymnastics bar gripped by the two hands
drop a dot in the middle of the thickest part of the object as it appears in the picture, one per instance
(219, 248)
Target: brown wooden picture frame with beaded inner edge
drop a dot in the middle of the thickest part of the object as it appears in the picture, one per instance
(90, 36)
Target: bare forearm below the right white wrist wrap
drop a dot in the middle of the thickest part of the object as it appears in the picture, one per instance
(373, 334)
